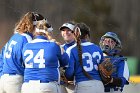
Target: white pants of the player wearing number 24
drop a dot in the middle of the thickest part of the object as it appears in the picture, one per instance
(34, 86)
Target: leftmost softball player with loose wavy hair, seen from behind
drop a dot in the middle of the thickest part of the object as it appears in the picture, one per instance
(13, 68)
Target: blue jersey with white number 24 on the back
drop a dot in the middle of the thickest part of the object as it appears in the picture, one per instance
(42, 60)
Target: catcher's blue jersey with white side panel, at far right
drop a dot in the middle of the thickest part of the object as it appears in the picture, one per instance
(121, 70)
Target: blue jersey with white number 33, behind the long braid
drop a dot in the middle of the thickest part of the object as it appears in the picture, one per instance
(91, 57)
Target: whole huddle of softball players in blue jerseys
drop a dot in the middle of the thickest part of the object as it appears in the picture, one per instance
(32, 61)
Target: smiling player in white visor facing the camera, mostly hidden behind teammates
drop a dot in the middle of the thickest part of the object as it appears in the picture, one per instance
(66, 32)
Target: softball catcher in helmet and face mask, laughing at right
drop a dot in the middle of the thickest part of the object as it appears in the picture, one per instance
(111, 46)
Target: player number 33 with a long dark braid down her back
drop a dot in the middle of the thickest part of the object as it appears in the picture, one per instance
(84, 59)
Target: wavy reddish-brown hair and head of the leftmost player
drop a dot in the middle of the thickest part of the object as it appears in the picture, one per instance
(27, 22)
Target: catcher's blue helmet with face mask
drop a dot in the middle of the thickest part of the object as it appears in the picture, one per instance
(118, 46)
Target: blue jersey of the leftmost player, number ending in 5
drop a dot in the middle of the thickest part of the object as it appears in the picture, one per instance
(13, 63)
